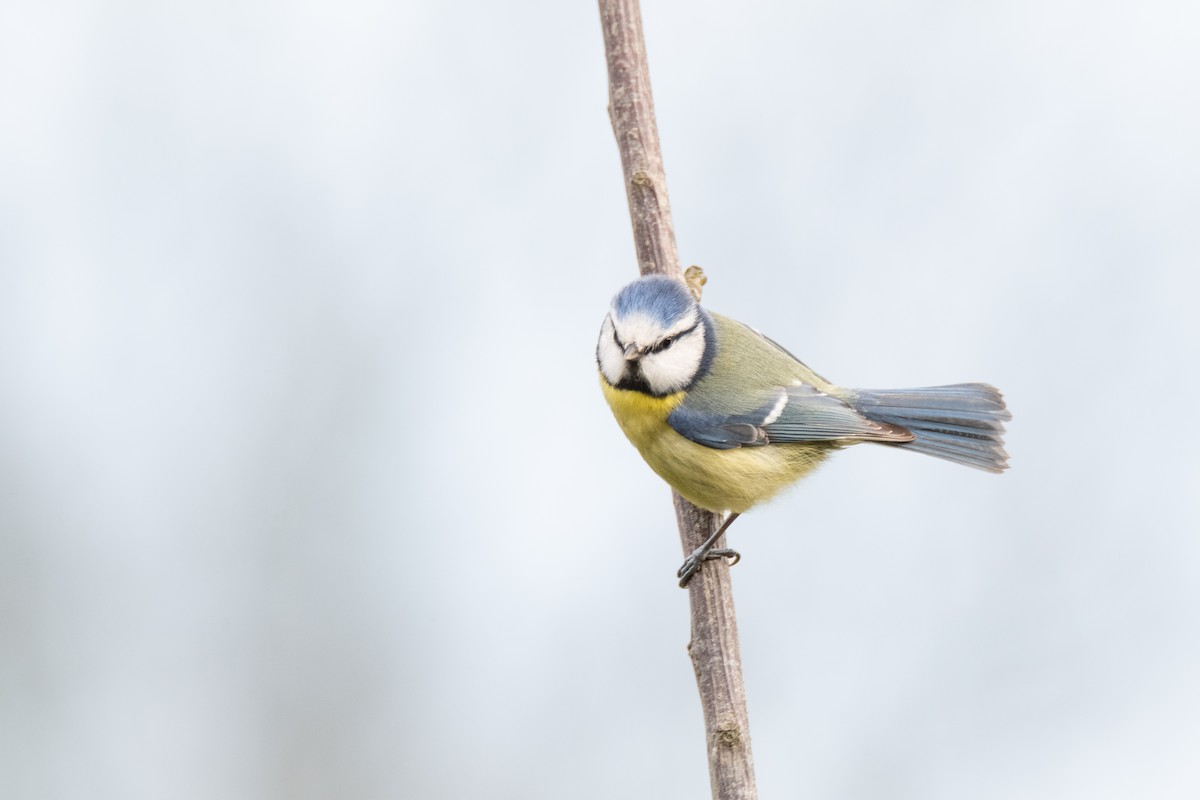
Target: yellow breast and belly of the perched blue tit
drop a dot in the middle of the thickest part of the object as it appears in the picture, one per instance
(718, 480)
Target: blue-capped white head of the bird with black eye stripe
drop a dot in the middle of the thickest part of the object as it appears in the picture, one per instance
(656, 340)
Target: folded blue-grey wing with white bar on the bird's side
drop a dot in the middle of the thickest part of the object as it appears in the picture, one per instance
(793, 414)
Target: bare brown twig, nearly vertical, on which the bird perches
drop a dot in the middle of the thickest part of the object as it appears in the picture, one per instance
(715, 649)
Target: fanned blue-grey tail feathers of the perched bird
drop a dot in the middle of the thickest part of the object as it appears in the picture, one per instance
(964, 423)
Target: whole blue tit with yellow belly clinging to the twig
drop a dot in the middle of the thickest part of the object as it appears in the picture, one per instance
(729, 418)
